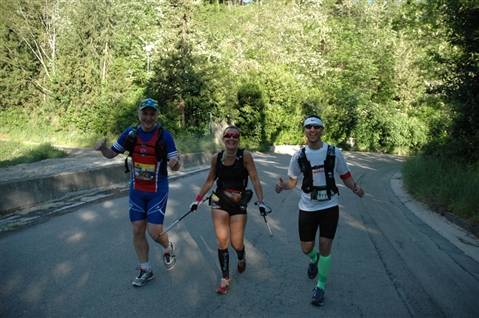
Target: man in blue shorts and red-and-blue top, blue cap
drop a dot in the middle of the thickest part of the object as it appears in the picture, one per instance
(152, 150)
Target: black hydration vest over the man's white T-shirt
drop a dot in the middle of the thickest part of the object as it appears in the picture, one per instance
(307, 171)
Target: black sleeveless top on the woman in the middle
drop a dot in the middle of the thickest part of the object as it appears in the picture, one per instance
(237, 173)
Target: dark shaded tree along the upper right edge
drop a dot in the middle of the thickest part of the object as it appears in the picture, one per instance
(460, 86)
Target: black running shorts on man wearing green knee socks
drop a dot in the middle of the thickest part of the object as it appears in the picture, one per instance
(326, 220)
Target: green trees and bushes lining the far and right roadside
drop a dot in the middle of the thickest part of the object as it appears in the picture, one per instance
(396, 77)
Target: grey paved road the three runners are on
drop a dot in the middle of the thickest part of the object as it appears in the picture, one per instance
(387, 262)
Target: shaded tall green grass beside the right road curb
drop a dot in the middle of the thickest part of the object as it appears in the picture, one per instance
(444, 183)
